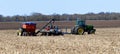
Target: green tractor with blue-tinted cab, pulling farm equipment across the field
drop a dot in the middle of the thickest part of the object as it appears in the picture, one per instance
(80, 28)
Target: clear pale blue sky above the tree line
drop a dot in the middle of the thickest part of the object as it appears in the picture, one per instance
(27, 7)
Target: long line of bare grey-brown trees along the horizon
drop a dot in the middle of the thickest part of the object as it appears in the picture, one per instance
(62, 17)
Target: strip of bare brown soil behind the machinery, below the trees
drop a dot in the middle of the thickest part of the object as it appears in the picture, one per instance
(64, 24)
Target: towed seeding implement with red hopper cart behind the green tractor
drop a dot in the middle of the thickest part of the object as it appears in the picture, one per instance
(29, 28)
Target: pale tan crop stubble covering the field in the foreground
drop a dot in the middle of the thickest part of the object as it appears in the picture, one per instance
(105, 41)
